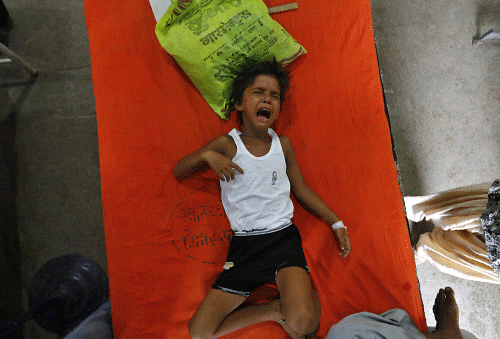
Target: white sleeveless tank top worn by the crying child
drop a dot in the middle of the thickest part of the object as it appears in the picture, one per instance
(258, 201)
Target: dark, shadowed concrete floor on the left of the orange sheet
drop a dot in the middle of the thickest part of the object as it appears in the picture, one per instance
(53, 123)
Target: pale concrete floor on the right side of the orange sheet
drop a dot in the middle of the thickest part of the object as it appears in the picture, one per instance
(443, 96)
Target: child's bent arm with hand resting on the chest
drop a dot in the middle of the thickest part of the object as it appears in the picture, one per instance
(217, 154)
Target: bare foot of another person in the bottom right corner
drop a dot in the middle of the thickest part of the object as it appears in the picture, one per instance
(446, 313)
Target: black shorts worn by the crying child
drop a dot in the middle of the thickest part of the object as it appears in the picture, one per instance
(255, 260)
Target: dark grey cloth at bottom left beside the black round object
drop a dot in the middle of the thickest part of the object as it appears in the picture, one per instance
(97, 325)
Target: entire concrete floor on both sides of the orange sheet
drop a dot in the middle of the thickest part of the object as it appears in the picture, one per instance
(442, 94)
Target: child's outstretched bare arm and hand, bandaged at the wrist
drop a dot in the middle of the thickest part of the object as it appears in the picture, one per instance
(307, 197)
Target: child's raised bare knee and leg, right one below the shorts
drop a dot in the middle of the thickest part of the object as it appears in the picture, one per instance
(299, 304)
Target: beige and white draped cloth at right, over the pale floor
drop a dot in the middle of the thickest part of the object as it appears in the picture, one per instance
(456, 245)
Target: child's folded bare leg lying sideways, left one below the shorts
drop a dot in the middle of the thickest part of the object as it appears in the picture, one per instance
(216, 315)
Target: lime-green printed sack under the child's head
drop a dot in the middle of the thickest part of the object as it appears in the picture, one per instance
(214, 40)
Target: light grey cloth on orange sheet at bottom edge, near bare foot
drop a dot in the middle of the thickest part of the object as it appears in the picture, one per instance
(394, 323)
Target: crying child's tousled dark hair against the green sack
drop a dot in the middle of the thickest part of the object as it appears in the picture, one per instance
(247, 77)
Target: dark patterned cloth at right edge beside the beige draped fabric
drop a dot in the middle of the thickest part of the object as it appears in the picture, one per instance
(490, 221)
